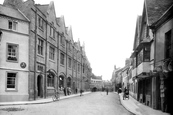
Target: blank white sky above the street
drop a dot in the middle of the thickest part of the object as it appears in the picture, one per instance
(106, 27)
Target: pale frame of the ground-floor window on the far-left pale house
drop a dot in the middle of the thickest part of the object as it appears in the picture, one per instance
(16, 82)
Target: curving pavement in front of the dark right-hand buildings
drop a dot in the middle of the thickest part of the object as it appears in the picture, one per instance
(138, 108)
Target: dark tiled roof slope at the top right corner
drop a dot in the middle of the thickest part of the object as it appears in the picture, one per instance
(156, 8)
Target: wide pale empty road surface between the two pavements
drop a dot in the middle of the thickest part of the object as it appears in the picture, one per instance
(96, 103)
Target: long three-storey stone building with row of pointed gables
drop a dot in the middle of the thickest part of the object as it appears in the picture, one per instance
(55, 60)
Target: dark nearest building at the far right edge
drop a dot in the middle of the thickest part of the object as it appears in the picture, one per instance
(162, 74)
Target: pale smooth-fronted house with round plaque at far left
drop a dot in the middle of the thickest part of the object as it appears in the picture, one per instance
(14, 51)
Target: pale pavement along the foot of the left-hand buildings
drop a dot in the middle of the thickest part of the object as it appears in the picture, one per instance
(40, 101)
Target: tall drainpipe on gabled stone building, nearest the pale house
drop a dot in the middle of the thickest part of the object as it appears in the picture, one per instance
(35, 53)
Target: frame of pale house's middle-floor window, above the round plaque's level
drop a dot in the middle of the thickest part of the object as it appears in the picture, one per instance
(17, 52)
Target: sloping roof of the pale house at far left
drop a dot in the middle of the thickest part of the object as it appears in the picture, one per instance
(12, 12)
